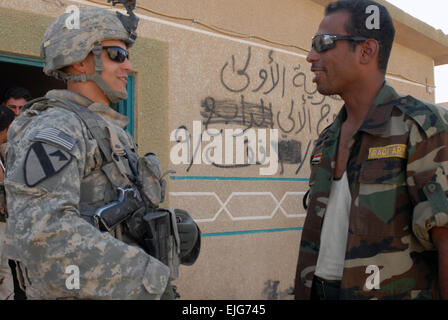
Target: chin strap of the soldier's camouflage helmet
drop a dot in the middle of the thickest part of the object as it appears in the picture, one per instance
(112, 95)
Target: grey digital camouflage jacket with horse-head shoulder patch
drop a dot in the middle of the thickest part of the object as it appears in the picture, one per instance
(55, 171)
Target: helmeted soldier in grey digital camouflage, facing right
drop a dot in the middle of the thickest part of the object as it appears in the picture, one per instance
(58, 173)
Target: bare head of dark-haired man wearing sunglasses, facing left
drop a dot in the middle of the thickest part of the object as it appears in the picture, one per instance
(342, 64)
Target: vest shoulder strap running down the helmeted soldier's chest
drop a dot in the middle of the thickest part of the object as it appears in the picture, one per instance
(108, 142)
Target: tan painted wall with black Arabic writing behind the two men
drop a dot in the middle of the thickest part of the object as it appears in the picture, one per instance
(186, 73)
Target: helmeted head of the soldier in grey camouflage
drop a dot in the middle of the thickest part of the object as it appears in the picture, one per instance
(93, 59)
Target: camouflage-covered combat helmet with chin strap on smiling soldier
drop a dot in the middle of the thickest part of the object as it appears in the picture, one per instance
(64, 45)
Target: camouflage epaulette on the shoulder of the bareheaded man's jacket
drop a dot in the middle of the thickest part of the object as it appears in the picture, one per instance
(432, 119)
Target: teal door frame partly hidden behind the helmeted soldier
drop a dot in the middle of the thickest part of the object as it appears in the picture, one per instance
(125, 107)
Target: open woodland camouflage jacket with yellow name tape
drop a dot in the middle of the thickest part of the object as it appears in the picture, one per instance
(397, 172)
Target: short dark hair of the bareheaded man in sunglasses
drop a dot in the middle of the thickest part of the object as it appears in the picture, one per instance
(356, 25)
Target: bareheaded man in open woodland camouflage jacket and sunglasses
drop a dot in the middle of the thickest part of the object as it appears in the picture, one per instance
(382, 233)
